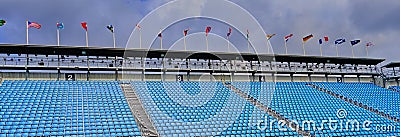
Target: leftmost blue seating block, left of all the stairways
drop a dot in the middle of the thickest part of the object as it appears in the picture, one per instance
(64, 108)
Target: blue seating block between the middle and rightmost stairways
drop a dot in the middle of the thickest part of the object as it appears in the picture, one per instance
(299, 102)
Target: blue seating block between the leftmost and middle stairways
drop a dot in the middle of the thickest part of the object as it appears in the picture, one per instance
(201, 109)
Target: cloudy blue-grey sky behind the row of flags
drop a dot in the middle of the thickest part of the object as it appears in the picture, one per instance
(376, 21)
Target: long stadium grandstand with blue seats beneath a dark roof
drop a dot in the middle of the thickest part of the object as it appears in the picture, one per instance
(91, 91)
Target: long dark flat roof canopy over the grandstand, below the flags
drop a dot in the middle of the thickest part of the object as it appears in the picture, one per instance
(153, 53)
